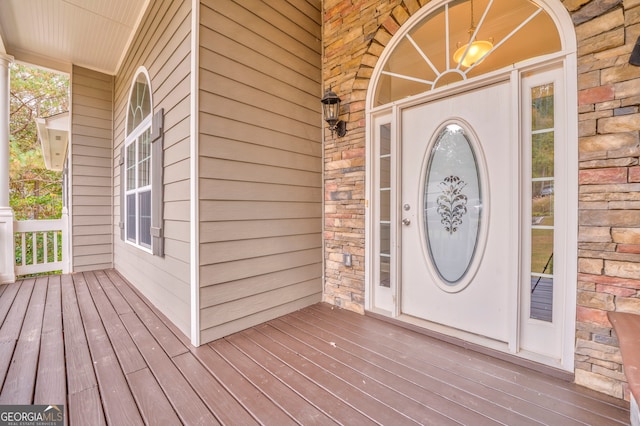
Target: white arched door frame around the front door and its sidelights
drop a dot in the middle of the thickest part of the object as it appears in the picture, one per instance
(568, 58)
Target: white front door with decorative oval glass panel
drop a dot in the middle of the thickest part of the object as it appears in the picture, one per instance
(459, 212)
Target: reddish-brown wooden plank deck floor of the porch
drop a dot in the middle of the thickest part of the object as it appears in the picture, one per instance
(91, 342)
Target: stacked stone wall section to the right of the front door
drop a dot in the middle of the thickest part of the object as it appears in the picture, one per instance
(609, 193)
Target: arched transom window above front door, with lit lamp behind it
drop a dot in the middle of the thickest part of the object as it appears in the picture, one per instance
(463, 39)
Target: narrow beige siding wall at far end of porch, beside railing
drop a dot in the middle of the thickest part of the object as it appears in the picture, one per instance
(91, 171)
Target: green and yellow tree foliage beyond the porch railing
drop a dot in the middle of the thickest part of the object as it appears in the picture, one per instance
(35, 192)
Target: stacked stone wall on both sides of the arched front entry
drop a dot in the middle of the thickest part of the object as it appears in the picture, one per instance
(355, 34)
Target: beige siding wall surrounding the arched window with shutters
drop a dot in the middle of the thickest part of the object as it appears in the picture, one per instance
(162, 45)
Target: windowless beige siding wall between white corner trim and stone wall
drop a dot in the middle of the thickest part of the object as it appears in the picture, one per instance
(260, 165)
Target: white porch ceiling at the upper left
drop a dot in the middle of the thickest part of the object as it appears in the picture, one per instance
(57, 33)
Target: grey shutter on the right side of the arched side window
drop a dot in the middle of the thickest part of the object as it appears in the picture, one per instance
(157, 189)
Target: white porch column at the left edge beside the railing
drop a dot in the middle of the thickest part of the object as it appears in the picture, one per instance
(7, 253)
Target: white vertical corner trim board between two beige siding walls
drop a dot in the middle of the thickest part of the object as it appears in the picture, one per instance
(193, 162)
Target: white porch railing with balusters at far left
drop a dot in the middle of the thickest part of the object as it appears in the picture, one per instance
(41, 246)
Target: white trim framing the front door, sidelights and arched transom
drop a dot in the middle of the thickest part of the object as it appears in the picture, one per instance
(567, 55)
